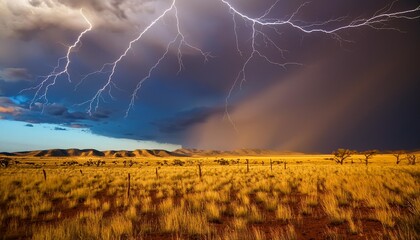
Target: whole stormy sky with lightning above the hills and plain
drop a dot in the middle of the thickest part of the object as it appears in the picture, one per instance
(221, 74)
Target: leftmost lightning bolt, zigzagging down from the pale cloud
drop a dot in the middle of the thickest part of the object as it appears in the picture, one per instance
(50, 79)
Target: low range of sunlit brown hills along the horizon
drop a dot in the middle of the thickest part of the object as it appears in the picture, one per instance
(143, 153)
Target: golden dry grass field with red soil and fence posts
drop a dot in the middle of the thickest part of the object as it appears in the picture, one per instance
(309, 197)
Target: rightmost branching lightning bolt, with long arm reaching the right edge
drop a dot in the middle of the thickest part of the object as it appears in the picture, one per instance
(377, 21)
